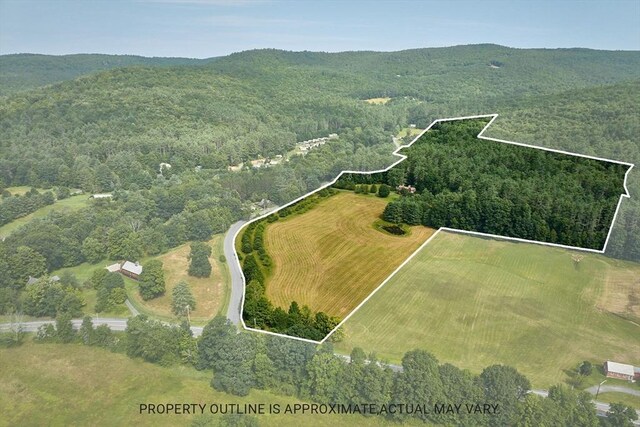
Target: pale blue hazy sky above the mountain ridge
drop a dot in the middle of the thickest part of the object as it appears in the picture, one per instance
(208, 28)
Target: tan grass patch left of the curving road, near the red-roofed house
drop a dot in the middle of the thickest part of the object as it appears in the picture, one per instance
(210, 293)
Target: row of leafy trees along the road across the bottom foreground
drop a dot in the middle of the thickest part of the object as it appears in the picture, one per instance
(241, 362)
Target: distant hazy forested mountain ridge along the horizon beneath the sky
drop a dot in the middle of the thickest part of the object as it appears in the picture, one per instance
(407, 72)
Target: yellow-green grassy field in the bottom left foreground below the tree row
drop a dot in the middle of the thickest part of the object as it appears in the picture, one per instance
(61, 385)
